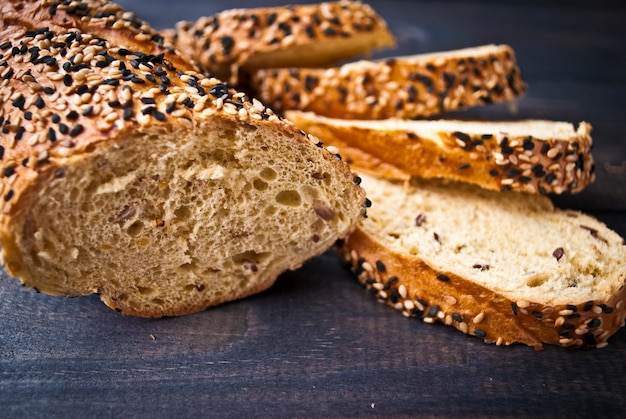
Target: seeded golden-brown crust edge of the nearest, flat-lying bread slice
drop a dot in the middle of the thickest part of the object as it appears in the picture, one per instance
(417, 289)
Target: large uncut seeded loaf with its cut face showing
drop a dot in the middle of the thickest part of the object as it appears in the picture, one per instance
(163, 191)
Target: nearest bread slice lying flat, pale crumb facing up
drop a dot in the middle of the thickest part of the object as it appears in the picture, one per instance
(505, 267)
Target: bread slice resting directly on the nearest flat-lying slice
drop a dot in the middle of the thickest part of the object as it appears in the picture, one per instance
(528, 155)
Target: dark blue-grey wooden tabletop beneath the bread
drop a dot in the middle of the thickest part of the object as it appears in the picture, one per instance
(316, 344)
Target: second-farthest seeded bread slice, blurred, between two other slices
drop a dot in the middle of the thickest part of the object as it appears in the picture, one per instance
(409, 87)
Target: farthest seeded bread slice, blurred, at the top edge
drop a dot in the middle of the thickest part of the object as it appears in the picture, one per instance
(284, 36)
